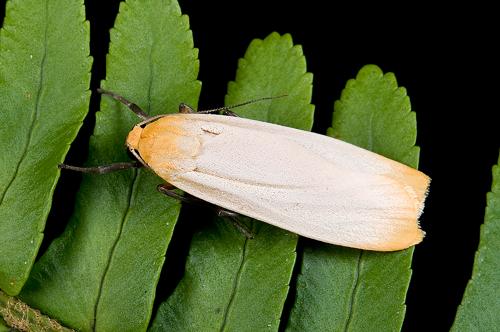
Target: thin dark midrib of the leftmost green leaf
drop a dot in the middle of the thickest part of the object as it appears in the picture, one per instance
(36, 112)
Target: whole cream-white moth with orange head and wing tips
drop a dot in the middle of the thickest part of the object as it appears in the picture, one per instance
(312, 185)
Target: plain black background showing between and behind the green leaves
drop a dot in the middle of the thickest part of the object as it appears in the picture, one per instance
(443, 56)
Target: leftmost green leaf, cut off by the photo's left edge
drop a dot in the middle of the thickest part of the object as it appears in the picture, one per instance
(44, 80)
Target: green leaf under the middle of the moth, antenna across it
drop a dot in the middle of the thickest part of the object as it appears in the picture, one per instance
(233, 283)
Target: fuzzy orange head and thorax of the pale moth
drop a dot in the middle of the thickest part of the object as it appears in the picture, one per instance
(166, 145)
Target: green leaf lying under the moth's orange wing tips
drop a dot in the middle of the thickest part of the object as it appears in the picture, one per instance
(343, 289)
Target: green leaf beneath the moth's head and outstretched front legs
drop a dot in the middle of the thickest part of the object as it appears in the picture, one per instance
(101, 274)
